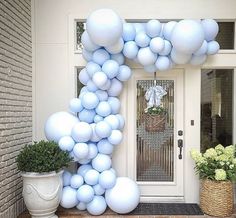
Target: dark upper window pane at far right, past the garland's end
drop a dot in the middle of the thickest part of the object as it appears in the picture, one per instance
(225, 36)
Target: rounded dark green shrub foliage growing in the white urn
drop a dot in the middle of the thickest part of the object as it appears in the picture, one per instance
(42, 157)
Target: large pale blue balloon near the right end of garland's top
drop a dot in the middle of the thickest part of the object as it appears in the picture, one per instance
(187, 36)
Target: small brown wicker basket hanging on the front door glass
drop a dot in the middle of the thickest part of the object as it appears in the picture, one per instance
(155, 122)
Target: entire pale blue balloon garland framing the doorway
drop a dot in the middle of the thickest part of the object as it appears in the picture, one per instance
(94, 127)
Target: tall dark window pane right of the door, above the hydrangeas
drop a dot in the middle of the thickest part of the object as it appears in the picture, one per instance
(216, 107)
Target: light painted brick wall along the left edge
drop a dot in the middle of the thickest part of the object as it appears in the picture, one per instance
(15, 99)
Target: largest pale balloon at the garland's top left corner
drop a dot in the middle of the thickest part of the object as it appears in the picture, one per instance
(104, 27)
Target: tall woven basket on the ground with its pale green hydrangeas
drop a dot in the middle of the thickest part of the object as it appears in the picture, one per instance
(217, 169)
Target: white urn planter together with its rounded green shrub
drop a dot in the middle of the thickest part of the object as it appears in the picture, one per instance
(42, 165)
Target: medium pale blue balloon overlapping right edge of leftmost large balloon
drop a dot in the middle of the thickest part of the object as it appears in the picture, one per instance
(81, 132)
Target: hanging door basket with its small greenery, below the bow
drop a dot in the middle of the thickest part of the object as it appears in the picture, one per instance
(155, 118)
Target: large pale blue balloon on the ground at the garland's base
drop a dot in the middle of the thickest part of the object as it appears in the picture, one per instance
(124, 196)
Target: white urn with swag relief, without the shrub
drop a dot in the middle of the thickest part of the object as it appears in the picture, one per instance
(42, 193)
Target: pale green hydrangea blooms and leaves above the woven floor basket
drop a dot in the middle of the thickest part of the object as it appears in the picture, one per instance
(217, 163)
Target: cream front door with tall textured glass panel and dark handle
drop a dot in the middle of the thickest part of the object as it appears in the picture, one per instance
(155, 156)
